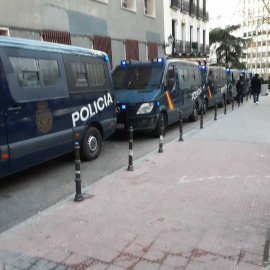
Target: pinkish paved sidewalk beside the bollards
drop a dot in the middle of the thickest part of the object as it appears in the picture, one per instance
(202, 204)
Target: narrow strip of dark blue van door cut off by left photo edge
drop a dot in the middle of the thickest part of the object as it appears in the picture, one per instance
(4, 153)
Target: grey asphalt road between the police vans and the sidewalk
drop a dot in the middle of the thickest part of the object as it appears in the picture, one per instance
(28, 192)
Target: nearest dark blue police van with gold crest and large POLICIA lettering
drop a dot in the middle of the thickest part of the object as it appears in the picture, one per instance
(52, 96)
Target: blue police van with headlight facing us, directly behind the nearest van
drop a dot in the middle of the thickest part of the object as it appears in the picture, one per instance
(147, 91)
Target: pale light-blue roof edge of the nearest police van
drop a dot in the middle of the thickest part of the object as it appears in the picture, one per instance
(46, 46)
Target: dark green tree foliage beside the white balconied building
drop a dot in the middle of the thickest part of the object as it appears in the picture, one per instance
(229, 49)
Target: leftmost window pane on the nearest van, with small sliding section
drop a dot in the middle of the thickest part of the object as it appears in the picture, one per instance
(26, 70)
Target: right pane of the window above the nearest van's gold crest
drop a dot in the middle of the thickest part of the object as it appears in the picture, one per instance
(49, 70)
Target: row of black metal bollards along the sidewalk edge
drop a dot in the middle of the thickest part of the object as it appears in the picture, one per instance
(79, 196)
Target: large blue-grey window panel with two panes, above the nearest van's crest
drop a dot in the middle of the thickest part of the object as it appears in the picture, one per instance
(33, 74)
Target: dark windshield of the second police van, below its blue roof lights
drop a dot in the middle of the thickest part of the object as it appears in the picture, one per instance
(146, 77)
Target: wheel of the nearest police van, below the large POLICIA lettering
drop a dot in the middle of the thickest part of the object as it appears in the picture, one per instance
(91, 145)
